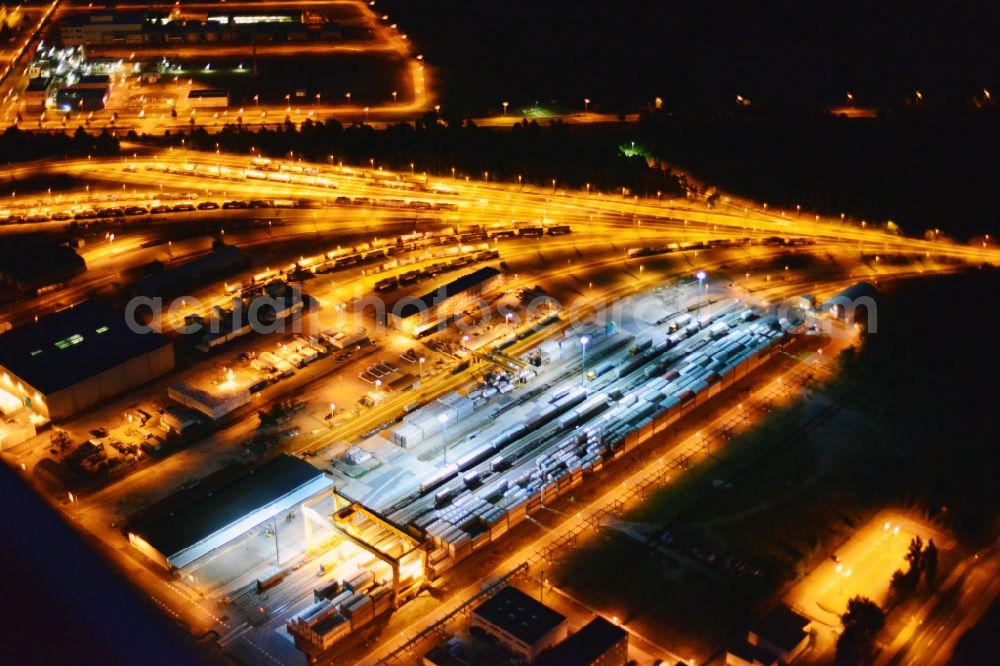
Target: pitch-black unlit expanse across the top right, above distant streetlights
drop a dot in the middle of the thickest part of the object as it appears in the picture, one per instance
(786, 52)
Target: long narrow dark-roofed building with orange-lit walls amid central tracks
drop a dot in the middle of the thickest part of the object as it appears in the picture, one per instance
(416, 315)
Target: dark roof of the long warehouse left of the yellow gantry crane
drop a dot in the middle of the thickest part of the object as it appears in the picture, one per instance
(225, 507)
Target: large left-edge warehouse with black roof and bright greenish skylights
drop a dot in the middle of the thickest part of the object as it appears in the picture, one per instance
(78, 357)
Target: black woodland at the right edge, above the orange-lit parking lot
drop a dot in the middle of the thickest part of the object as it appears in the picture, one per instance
(929, 388)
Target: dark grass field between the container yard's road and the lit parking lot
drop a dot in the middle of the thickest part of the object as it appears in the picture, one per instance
(773, 505)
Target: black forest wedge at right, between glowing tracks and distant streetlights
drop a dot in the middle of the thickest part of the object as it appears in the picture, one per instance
(922, 170)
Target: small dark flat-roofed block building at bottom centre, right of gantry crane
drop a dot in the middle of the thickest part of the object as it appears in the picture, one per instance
(519, 623)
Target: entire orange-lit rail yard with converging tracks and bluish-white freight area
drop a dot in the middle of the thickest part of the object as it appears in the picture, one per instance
(560, 331)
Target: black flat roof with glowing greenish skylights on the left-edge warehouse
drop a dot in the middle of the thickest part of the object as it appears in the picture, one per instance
(69, 346)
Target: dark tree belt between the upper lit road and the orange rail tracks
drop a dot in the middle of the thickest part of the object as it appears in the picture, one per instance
(573, 156)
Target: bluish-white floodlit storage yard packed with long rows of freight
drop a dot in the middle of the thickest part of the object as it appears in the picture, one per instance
(570, 421)
